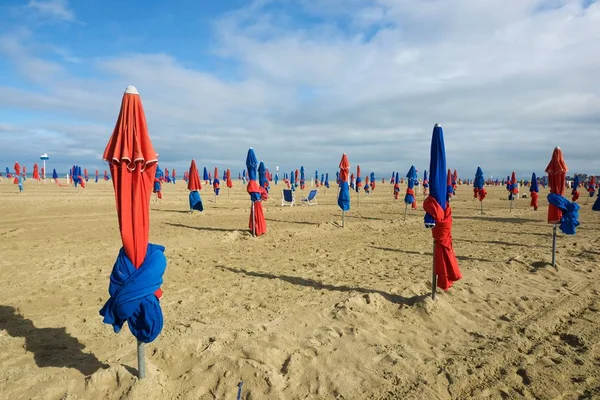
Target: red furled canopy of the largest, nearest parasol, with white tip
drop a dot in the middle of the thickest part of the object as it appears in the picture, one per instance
(133, 164)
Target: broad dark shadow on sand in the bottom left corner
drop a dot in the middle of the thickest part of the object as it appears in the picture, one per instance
(51, 347)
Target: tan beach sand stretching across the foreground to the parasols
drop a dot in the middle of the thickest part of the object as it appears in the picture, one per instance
(309, 311)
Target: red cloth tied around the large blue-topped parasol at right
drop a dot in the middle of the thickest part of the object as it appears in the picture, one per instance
(445, 263)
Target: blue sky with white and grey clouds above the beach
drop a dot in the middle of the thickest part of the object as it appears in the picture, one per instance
(303, 81)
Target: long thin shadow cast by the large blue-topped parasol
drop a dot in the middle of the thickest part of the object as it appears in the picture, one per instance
(296, 280)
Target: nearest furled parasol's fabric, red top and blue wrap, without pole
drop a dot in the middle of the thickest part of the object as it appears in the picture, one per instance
(137, 275)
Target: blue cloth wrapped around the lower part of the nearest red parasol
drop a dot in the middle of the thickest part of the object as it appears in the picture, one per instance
(132, 296)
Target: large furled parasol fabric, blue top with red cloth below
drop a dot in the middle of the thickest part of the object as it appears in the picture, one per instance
(439, 214)
